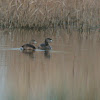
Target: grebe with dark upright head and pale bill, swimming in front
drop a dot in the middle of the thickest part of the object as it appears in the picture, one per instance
(45, 45)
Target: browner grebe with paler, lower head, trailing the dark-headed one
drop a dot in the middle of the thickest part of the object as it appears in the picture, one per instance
(29, 46)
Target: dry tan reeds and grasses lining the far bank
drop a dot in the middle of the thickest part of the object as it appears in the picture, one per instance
(79, 14)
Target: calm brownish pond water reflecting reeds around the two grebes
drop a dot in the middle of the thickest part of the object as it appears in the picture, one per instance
(70, 71)
